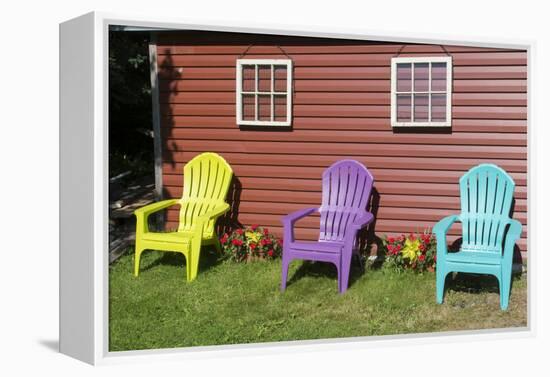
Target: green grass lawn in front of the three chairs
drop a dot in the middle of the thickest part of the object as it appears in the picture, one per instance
(232, 303)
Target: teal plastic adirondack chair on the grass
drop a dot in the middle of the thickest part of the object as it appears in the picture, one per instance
(488, 232)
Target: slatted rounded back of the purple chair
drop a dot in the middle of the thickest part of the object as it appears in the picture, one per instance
(347, 186)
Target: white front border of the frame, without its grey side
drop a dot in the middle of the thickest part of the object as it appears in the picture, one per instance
(100, 266)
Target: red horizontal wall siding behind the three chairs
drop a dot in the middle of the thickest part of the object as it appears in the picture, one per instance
(341, 109)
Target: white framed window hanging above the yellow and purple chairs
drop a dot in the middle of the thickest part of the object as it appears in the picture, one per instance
(264, 92)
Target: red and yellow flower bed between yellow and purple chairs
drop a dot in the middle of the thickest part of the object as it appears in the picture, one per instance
(252, 243)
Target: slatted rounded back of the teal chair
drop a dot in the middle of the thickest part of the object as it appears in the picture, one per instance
(486, 193)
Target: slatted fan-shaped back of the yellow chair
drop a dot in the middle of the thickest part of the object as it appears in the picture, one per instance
(206, 181)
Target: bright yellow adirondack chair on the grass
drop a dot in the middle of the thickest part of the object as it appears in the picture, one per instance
(206, 181)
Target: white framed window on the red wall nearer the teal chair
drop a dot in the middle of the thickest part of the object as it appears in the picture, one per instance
(421, 91)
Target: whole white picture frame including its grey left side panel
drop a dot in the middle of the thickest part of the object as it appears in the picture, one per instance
(84, 193)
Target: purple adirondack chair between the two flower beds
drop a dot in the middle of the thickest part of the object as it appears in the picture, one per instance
(347, 187)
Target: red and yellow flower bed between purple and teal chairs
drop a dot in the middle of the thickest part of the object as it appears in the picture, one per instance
(415, 252)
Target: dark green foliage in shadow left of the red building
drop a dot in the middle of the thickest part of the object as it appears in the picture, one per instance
(130, 107)
